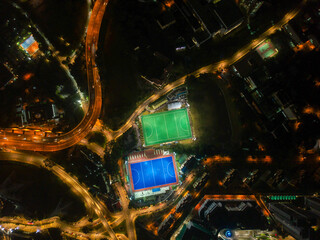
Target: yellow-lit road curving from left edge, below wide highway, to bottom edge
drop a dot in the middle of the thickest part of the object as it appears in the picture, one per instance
(92, 205)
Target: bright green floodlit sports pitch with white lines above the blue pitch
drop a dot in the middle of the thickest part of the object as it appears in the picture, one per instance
(166, 126)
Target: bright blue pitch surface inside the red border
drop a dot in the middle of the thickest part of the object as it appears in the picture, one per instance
(153, 173)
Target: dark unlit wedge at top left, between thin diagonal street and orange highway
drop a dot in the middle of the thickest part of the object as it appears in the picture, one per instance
(60, 18)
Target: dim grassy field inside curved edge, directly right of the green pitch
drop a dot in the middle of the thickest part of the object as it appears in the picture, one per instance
(210, 118)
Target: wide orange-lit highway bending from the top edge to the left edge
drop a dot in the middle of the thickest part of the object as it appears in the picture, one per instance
(27, 139)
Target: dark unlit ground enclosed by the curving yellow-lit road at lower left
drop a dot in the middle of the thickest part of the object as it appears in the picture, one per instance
(38, 193)
